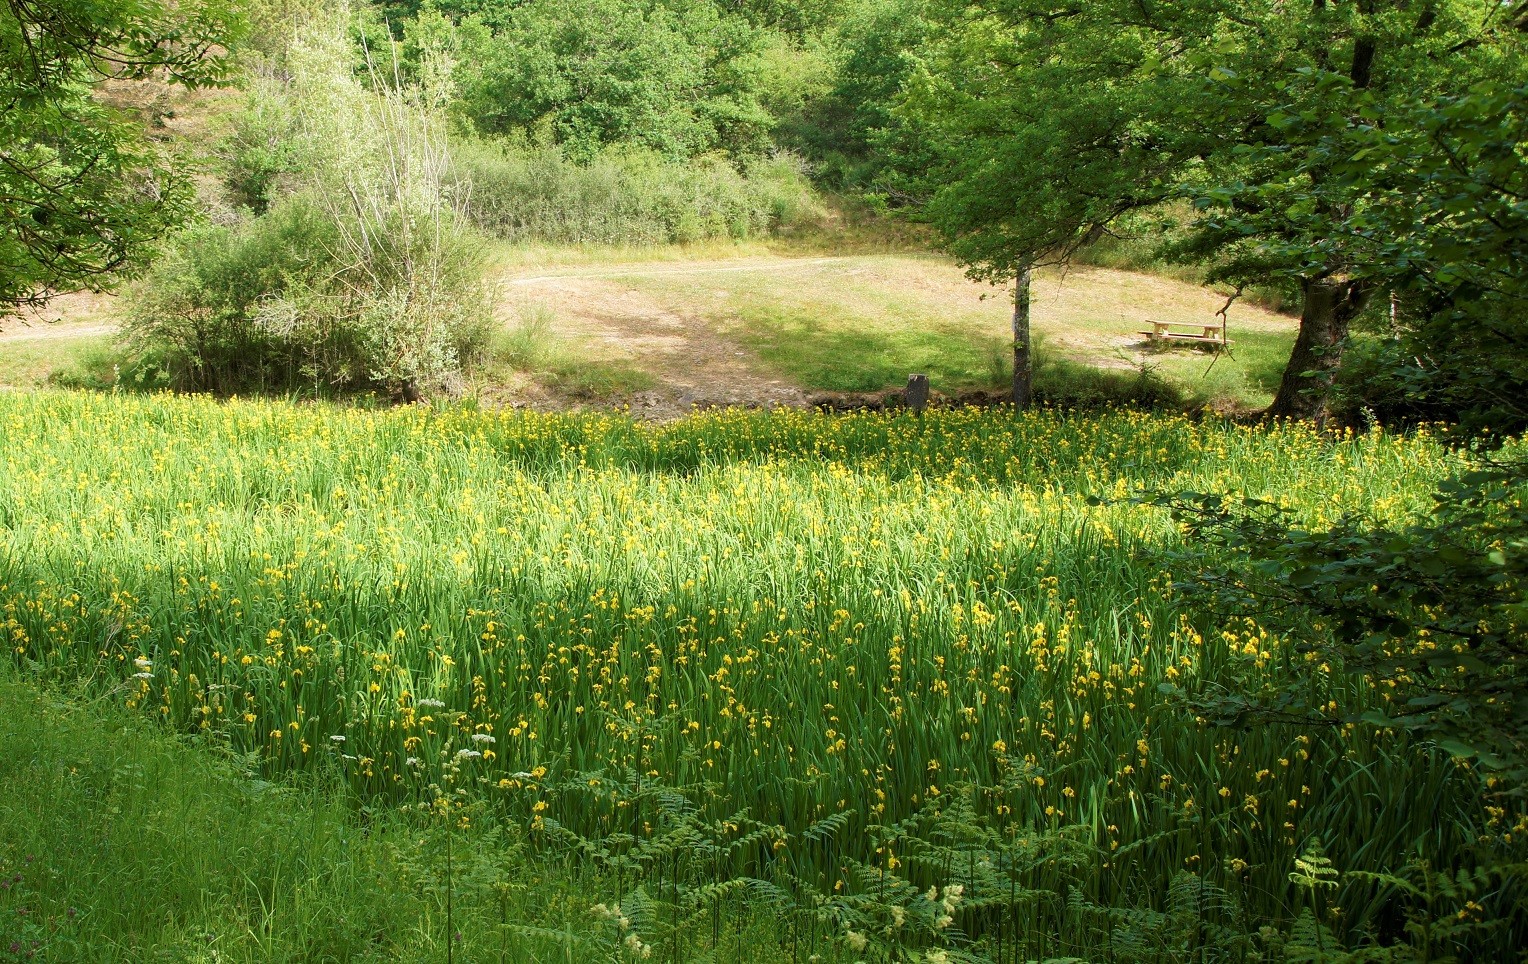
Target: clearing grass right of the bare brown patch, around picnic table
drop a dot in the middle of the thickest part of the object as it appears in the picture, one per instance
(866, 322)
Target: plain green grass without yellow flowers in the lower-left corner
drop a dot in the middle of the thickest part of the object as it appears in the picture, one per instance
(120, 843)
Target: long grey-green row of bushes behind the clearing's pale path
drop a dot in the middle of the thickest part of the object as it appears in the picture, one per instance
(629, 196)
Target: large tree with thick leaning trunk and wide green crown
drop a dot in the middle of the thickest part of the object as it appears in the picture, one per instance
(1055, 120)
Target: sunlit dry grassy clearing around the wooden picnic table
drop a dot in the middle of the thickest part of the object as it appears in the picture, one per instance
(861, 320)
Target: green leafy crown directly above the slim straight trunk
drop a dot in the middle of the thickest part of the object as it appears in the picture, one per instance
(1032, 131)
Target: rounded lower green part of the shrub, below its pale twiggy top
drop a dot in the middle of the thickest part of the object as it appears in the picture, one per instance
(267, 306)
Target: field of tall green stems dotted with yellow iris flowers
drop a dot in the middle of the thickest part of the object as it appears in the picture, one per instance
(884, 681)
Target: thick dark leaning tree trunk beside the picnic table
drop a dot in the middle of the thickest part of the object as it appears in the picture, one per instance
(1327, 311)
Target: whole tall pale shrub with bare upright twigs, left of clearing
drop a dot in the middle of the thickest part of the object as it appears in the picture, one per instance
(361, 277)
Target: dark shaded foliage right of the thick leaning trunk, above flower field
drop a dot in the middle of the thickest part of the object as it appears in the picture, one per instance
(1445, 231)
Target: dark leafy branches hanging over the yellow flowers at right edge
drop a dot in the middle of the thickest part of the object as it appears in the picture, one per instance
(1432, 615)
